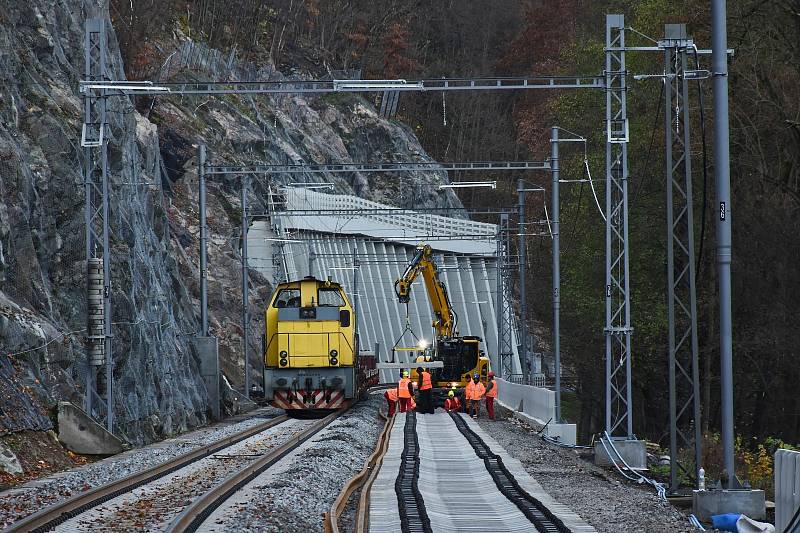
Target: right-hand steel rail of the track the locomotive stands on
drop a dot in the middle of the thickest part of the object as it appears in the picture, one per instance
(193, 516)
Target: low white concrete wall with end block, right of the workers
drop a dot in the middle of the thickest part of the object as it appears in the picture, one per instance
(537, 405)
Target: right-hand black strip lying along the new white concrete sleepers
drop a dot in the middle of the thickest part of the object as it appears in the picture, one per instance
(533, 509)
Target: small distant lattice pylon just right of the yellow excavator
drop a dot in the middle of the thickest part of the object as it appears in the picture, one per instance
(505, 325)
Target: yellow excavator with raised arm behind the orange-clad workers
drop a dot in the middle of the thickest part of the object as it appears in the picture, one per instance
(461, 356)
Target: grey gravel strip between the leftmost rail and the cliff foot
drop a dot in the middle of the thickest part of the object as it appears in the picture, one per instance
(26, 499)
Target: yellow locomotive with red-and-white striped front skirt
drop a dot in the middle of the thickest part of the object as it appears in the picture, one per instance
(311, 357)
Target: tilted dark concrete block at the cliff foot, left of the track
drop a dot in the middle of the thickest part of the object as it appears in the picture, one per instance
(81, 434)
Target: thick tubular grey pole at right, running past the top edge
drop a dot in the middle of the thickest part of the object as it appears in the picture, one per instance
(722, 181)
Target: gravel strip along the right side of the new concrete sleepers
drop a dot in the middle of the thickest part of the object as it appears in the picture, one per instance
(606, 501)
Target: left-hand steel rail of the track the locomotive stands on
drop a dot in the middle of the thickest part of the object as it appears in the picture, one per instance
(56, 514)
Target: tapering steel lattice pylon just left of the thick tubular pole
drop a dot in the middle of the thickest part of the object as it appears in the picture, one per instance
(684, 381)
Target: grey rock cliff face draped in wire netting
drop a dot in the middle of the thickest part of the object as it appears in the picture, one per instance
(153, 214)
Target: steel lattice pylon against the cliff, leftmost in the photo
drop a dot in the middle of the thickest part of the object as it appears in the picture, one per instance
(94, 140)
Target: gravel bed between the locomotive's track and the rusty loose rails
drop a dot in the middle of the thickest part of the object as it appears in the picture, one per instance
(293, 494)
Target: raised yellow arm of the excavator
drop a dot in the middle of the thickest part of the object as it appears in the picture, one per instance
(423, 263)
